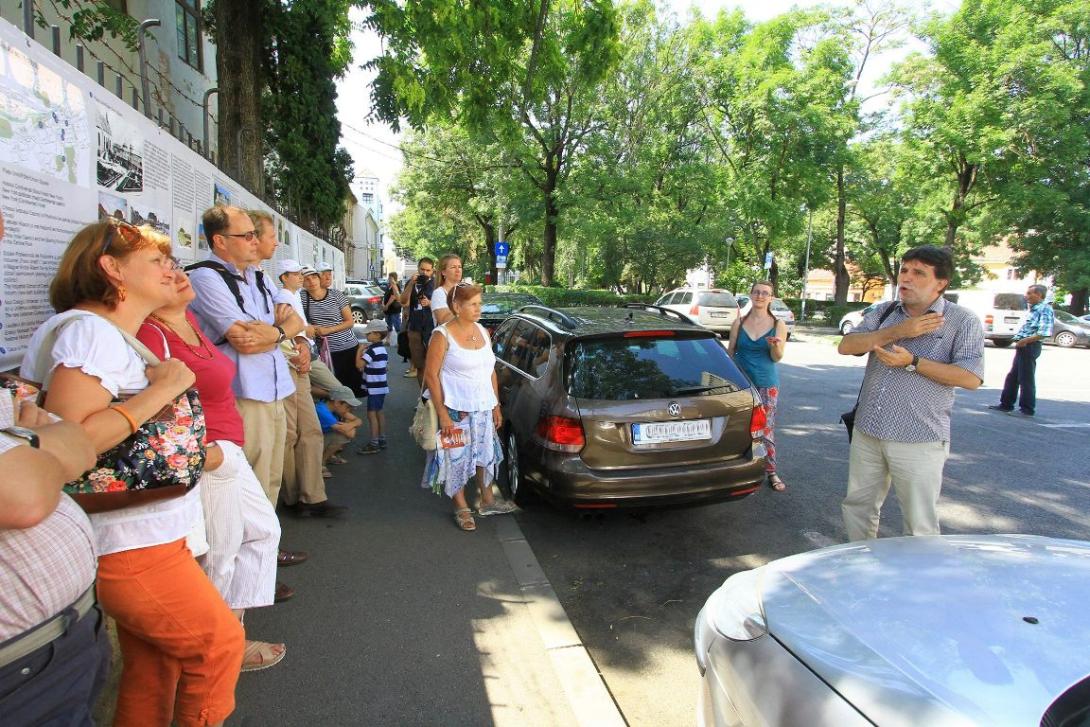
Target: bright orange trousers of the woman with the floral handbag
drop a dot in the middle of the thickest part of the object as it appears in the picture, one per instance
(181, 645)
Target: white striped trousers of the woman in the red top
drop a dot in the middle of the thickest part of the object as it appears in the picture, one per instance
(243, 530)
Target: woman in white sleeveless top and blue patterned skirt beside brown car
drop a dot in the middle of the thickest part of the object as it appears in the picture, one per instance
(462, 380)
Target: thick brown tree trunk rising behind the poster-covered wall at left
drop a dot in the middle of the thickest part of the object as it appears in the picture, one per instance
(239, 39)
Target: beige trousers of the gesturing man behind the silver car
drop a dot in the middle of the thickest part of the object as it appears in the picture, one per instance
(914, 469)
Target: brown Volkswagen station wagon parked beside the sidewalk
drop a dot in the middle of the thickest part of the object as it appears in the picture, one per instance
(635, 406)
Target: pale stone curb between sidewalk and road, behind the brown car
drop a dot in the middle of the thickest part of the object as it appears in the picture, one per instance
(584, 685)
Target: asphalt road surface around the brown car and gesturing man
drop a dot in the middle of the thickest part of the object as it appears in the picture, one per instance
(634, 584)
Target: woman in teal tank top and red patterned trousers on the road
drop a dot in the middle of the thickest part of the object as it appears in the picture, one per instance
(757, 344)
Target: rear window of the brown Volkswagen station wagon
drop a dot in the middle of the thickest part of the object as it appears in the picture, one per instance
(625, 369)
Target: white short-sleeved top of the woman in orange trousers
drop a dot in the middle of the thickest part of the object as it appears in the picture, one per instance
(96, 347)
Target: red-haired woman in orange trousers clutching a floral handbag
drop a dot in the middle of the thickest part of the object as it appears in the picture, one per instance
(181, 646)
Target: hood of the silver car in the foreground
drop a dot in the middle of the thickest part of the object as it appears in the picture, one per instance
(931, 631)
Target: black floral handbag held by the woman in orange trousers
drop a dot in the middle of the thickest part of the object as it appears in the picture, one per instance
(163, 459)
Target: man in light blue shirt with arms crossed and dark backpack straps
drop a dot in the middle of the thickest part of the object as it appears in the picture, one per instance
(237, 309)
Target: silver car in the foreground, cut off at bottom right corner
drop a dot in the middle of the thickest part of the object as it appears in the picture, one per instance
(943, 631)
